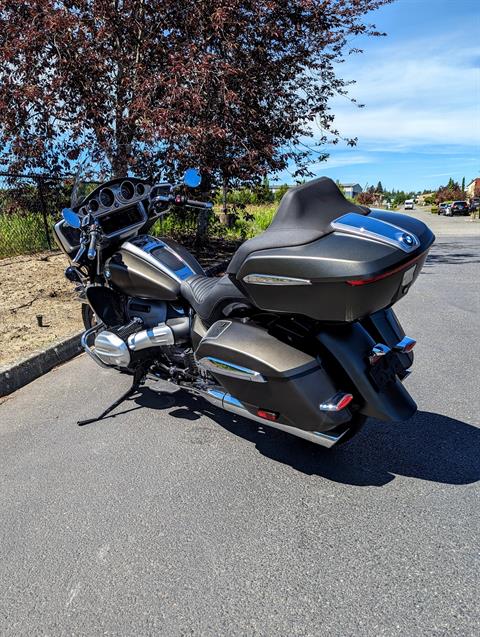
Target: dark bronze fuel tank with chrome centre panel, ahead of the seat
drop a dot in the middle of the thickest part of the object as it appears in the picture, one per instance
(151, 268)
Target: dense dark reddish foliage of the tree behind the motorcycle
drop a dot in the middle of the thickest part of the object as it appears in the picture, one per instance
(232, 87)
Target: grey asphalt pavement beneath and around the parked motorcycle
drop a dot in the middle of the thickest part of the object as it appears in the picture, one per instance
(175, 519)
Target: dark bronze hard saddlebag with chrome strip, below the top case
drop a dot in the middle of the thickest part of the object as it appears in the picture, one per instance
(266, 374)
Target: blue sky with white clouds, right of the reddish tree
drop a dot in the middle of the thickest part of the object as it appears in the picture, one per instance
(421, 90)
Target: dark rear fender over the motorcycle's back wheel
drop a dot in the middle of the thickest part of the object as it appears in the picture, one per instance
(350, 346)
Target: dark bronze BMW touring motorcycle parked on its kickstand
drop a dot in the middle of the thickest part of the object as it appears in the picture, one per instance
(299, 334)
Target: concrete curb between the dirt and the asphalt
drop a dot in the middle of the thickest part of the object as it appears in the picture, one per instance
(30, 368)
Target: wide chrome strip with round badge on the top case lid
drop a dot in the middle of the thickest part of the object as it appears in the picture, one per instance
(376, 229)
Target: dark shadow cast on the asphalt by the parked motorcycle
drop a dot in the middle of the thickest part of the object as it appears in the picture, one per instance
(429, 446)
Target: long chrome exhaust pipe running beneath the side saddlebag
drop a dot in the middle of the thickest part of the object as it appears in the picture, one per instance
(226, 401)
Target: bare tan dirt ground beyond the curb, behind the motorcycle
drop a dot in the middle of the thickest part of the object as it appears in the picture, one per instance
(35, 284)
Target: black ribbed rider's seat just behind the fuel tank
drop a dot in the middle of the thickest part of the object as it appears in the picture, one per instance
(210, 296)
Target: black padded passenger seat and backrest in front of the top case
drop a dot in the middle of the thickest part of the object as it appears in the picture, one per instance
(304, 215)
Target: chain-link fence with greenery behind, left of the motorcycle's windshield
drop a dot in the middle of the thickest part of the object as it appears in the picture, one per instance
(29, 206)
